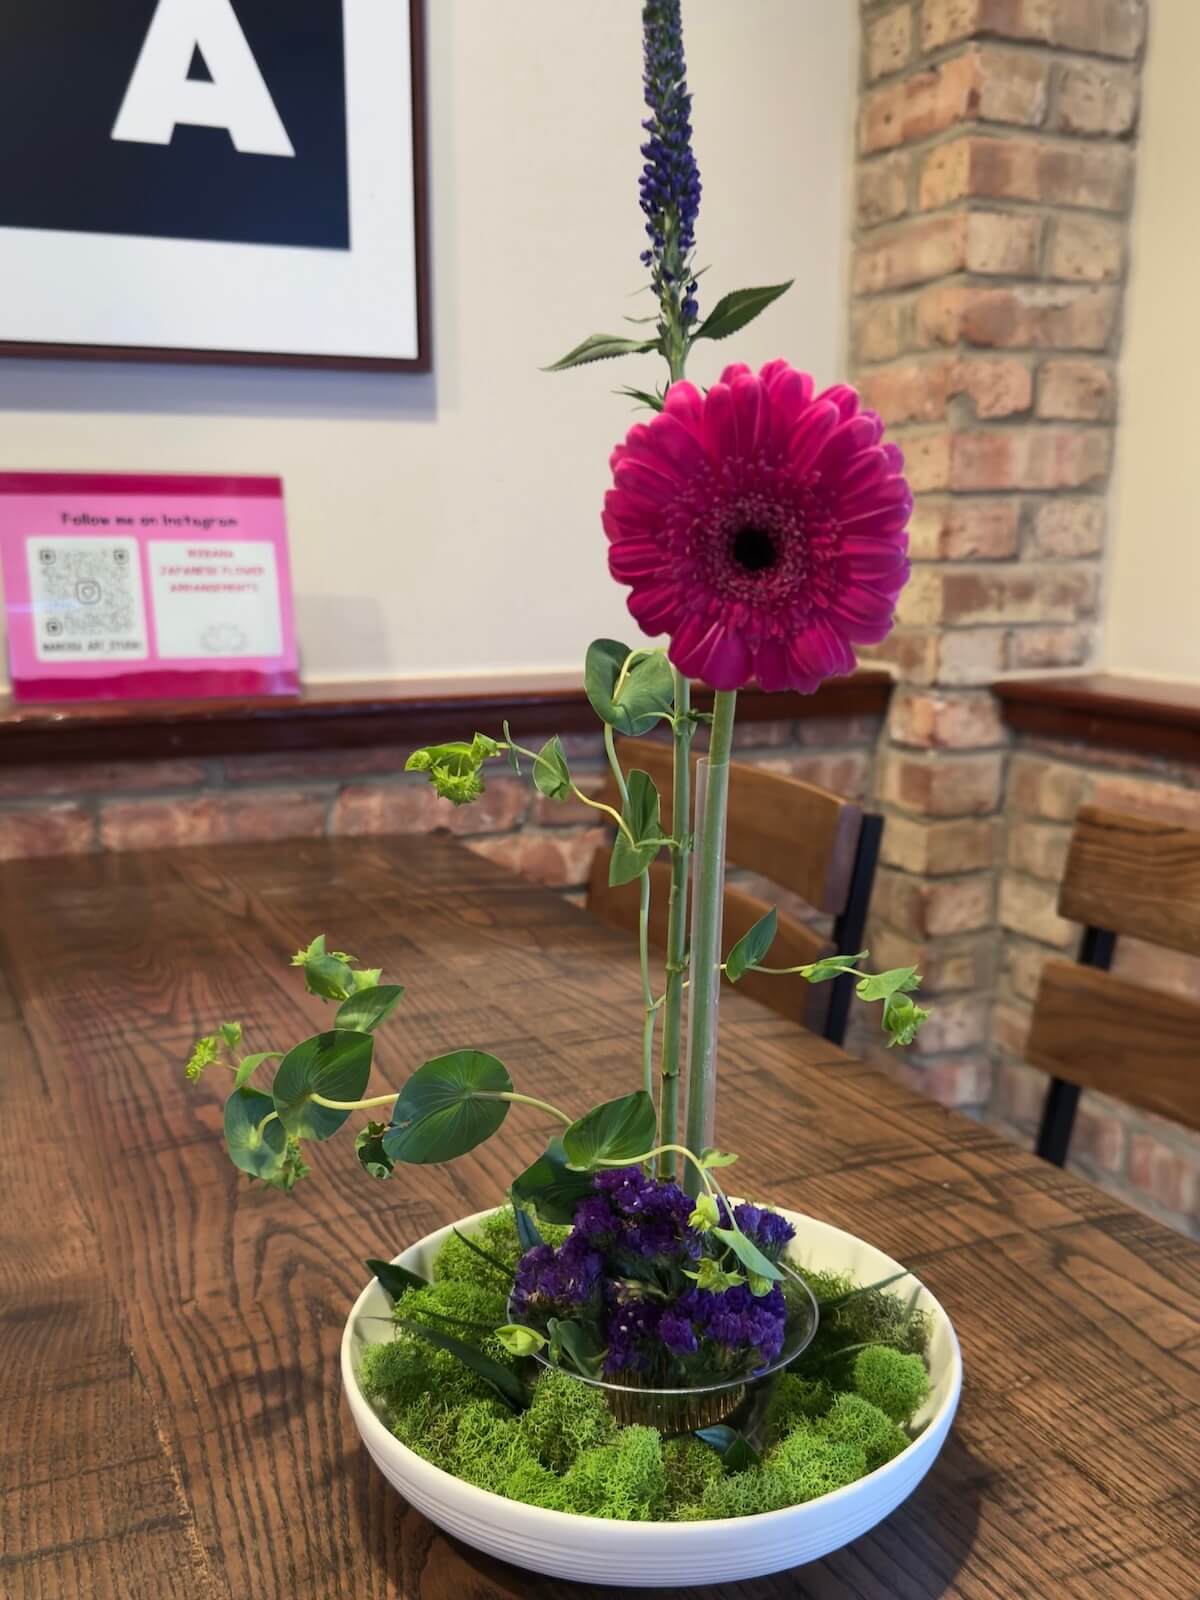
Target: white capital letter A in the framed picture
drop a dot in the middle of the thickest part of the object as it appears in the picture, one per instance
(161, 95)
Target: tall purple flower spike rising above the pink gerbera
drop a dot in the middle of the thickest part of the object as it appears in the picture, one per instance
(671, 185)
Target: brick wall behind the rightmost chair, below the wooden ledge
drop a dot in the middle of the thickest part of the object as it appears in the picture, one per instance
(1150, 1161)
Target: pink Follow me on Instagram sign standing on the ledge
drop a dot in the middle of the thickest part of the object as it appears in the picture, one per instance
(146, 588)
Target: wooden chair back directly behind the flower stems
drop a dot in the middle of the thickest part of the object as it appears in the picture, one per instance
(794, 834)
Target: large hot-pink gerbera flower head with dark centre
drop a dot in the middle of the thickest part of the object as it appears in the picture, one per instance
(761, 527)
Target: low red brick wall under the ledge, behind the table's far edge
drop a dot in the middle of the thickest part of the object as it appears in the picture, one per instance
(146, 806)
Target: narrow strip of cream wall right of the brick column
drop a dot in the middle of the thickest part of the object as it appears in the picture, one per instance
(1153, 577)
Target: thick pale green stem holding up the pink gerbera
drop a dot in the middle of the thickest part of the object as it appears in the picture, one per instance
(706, 934)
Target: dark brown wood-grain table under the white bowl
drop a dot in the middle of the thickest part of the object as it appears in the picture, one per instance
(172, 1420)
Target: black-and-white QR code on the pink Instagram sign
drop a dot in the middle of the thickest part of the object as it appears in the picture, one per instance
(87, 599)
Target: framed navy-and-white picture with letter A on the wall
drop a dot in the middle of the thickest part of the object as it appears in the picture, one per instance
(215, 182)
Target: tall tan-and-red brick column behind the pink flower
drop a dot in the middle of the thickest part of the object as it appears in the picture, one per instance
(994, 186)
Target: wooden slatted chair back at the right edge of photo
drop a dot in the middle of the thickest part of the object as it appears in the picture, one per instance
(1126, 876)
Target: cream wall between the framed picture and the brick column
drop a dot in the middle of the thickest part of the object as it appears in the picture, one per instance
(449, 526)
